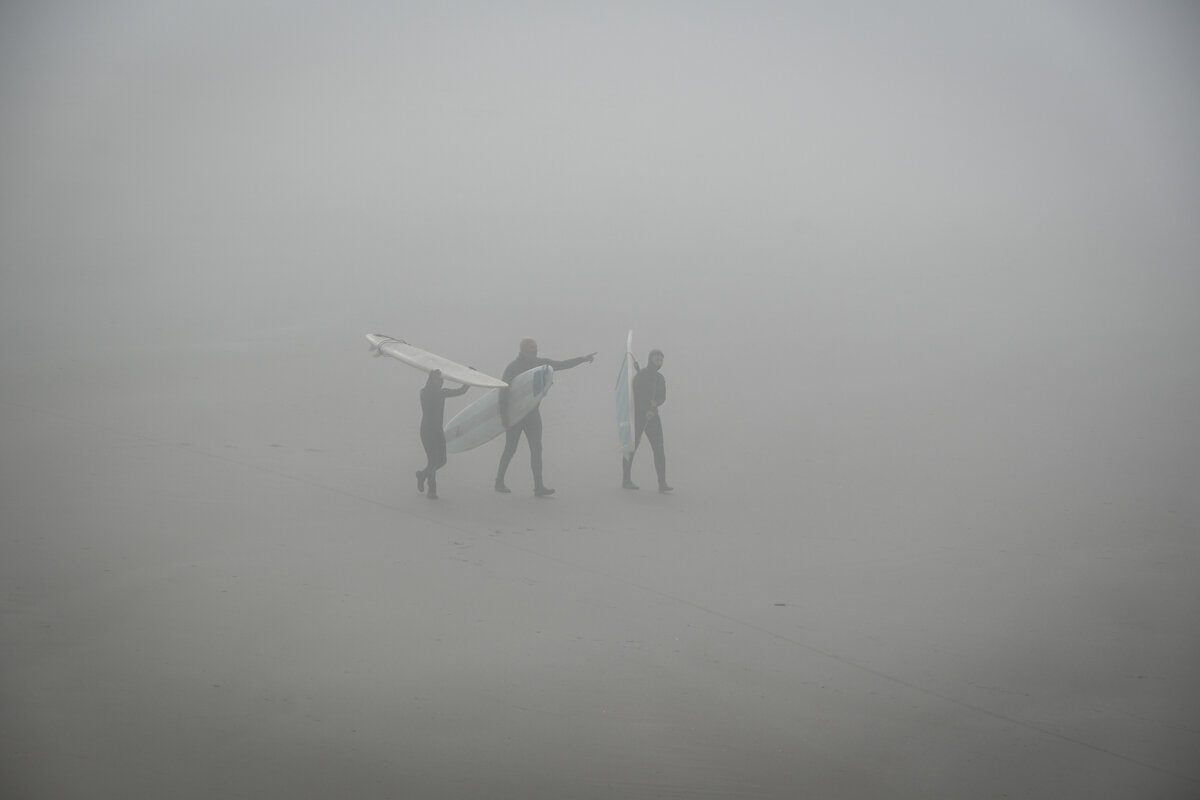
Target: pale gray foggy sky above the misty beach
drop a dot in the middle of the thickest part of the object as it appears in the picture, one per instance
(207, 172)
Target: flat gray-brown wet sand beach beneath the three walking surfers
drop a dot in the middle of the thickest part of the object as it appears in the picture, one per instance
(219, 582)
